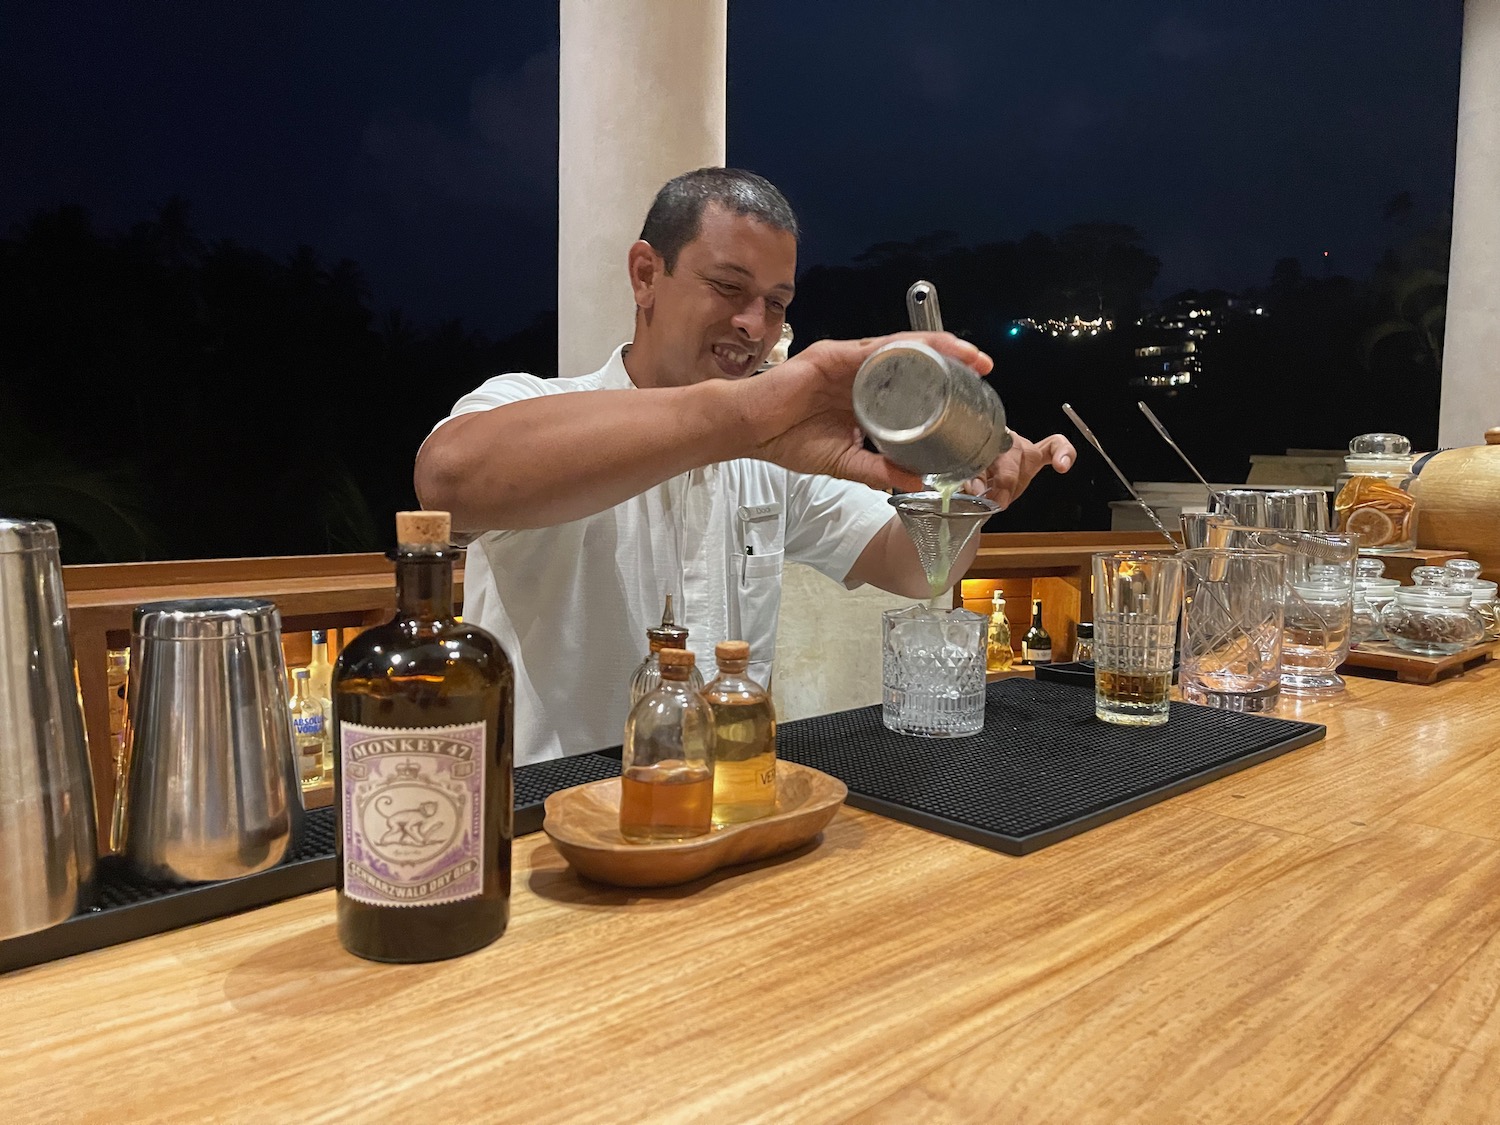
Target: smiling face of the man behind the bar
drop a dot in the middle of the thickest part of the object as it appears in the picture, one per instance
(721, 311)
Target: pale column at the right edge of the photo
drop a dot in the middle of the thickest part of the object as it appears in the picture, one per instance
(1471, 400)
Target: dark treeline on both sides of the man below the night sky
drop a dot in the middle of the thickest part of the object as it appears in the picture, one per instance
(164, 398)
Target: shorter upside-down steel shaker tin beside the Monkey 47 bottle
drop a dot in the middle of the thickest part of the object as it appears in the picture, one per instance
(214, 790)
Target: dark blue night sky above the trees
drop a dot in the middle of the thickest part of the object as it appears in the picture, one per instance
(422, 142)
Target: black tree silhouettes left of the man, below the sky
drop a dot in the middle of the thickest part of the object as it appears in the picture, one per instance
(164, 398)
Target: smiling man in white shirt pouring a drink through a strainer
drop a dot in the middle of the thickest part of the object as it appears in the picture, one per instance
(676, 469)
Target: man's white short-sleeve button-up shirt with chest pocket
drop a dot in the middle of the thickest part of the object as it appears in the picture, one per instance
(572, 604)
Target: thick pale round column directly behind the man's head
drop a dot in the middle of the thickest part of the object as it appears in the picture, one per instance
(641, 101)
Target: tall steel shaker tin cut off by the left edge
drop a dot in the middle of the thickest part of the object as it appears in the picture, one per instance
(47, 806)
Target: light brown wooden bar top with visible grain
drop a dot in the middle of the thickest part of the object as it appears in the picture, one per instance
(1316, 940)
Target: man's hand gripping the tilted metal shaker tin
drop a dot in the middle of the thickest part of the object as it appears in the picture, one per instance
(800, 415)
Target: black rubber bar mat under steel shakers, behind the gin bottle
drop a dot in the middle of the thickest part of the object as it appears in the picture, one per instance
(127, 907)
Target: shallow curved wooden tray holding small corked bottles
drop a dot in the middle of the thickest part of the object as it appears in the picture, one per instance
(584, 826)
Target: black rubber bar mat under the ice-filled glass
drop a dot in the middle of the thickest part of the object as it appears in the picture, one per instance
(1042, 770)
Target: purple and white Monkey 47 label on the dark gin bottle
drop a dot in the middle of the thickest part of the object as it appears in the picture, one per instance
(413, 814)
